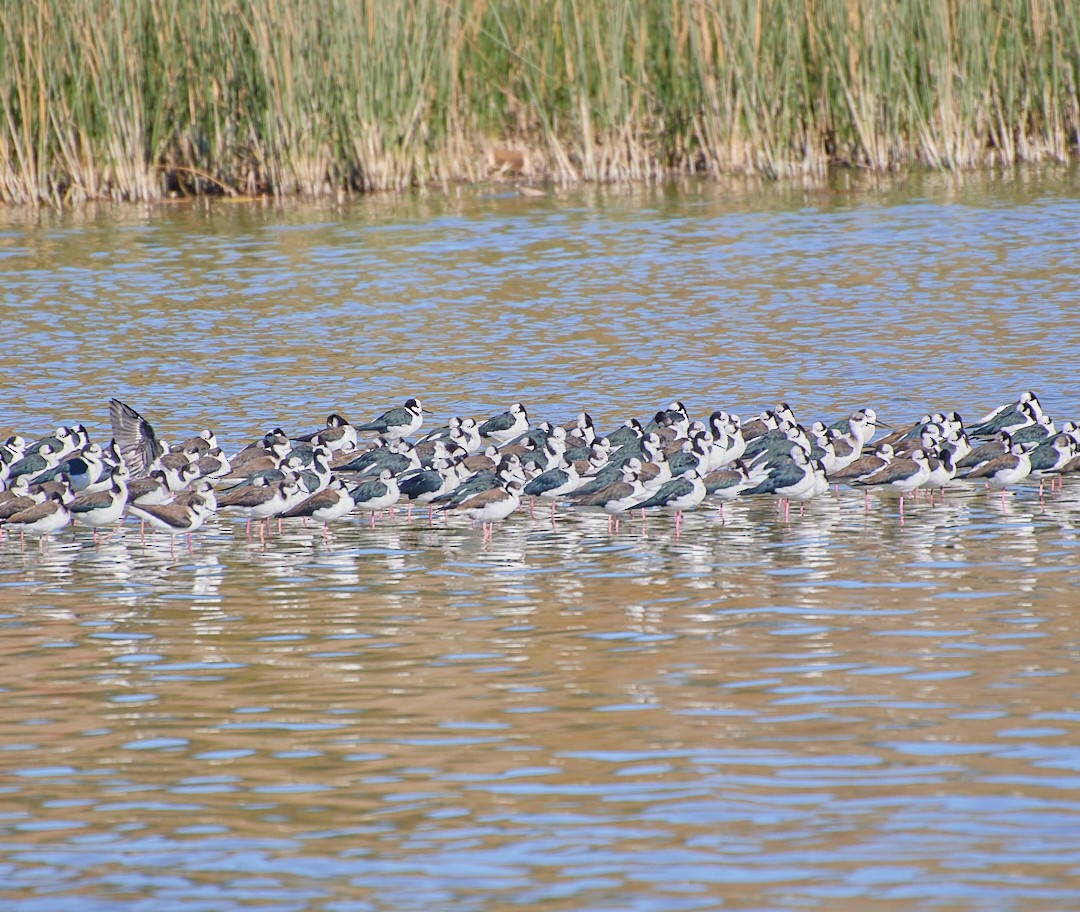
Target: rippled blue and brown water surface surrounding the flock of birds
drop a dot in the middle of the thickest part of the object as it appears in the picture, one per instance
(838, 714)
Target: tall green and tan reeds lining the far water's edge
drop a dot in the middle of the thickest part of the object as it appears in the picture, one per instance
(139, 99)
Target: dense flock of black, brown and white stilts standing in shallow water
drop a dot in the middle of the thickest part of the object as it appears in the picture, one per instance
(484, 470)
